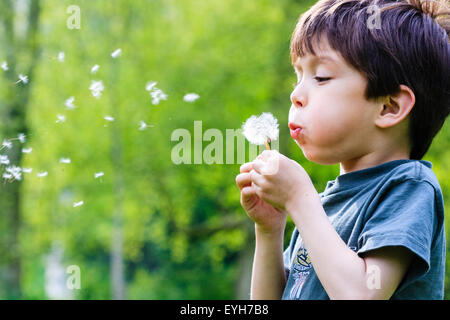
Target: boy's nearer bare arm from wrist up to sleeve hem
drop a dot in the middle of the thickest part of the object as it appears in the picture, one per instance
(344, 274)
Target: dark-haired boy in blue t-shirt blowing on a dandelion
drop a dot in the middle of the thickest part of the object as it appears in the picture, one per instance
(371, 99)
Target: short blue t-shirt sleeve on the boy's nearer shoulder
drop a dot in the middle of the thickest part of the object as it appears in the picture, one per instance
(405, 215)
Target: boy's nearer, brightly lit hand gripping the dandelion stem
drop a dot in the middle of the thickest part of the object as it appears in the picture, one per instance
(280, 181)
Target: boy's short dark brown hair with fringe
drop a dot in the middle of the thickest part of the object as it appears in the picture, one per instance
(410, 47)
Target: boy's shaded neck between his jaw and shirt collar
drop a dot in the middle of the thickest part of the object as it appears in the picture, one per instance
(371, 160)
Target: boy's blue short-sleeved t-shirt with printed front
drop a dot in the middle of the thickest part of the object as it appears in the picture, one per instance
(398, 203)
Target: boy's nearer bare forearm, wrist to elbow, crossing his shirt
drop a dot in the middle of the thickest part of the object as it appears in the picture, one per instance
(340, 270)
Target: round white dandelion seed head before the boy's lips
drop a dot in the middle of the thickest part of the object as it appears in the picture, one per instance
(261, 130)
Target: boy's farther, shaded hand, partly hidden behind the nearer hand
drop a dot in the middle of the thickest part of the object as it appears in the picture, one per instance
(267, 218)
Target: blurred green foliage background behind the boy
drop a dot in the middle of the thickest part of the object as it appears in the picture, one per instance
(148, 228)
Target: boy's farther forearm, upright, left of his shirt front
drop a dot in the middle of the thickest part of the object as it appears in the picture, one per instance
(268, 275)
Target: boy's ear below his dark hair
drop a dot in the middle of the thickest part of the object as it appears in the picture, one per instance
(396, 108)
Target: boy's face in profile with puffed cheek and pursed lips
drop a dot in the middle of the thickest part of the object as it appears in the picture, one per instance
(337, 121)
